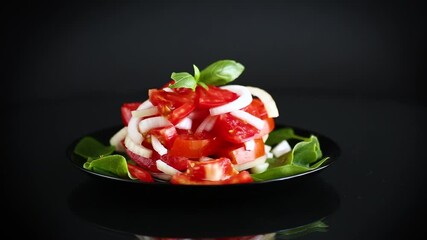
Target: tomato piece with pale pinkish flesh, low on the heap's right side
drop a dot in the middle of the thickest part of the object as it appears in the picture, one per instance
(238, 154)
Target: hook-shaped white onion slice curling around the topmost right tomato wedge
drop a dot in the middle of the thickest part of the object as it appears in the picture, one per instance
(244, 99)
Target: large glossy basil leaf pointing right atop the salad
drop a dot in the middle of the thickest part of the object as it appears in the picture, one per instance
(221, 72)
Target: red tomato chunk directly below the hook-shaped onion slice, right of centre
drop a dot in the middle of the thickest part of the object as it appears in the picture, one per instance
(233, 129)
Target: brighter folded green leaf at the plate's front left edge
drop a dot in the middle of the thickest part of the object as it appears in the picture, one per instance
(112, 165)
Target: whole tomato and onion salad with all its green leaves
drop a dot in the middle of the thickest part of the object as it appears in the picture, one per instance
(201, 129)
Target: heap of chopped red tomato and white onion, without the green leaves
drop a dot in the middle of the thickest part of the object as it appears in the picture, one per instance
(176, 126)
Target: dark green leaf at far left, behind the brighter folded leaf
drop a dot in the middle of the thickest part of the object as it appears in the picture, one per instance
(90, 148)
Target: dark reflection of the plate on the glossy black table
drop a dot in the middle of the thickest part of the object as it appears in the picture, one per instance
(279, 211)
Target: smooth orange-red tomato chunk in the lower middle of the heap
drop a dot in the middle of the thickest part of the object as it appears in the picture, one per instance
(194, 145)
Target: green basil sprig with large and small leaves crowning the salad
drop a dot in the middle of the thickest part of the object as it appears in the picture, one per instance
(218, 73)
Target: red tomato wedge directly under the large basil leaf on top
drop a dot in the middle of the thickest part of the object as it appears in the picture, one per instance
(213, 96)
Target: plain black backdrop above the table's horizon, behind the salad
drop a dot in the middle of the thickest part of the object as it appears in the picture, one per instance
(64, 49)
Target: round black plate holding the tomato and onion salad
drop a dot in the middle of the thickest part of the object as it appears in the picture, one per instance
(328, 146)
